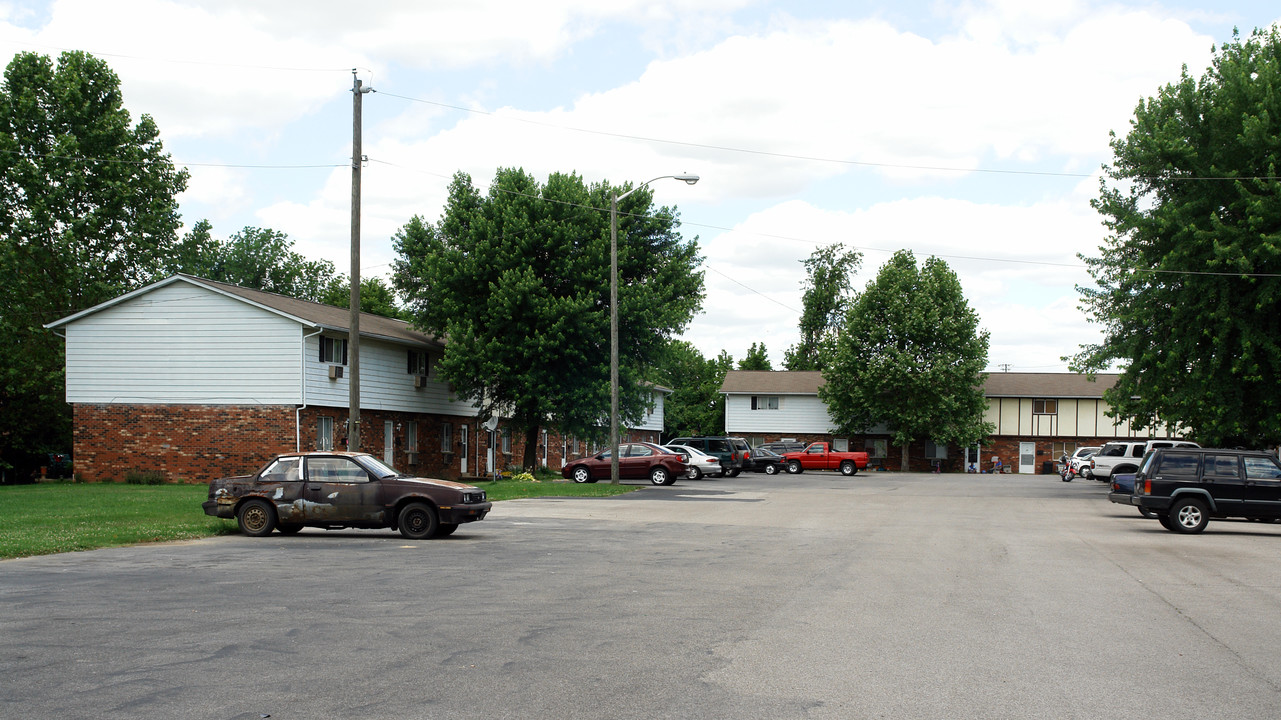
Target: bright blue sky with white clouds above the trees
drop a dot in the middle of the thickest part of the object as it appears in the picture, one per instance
(969, 131)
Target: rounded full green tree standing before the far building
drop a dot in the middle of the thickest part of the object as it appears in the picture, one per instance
(911, 356)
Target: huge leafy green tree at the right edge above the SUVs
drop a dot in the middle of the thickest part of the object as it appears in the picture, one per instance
(1188, 282)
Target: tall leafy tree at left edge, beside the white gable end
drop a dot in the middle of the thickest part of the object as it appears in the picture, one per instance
(86, 213)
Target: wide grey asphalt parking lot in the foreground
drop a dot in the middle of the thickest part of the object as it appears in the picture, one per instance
(790, 596)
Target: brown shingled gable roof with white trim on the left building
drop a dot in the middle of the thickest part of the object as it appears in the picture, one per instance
(303, 312)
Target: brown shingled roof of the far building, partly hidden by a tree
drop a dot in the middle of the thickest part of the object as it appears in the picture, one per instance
(999, 385)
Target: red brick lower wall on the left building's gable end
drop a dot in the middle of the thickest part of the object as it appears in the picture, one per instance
(184, 443)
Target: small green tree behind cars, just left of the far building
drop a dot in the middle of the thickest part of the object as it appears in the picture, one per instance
(696, 407)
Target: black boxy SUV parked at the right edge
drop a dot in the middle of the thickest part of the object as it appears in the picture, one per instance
(1188, 486)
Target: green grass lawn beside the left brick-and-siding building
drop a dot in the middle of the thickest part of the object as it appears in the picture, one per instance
(51, 518)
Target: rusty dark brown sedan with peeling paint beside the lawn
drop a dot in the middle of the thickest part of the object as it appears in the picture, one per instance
(343, 490)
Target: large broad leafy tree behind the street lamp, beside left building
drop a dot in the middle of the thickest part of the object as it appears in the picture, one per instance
(518, 280)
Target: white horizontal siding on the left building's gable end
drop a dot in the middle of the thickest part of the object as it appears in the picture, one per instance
(184, 345)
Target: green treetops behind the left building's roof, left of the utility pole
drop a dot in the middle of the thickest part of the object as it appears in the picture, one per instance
(259, 259)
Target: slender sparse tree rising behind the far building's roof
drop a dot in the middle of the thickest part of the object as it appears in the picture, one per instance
(828, 291)
